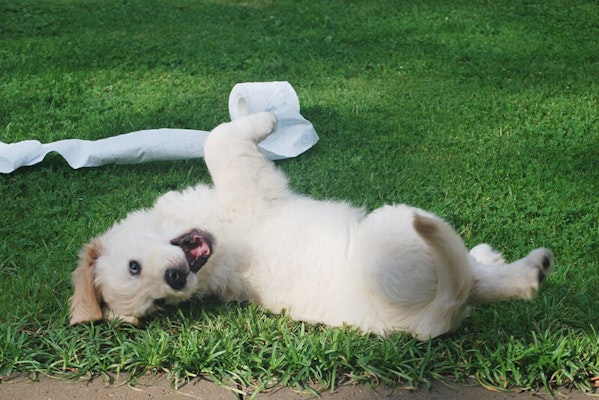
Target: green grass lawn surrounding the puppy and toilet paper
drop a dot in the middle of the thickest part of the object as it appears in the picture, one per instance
(485, 112)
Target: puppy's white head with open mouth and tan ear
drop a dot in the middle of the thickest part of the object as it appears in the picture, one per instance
(134, 268)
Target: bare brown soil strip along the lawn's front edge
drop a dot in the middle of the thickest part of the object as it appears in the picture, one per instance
(159, 387)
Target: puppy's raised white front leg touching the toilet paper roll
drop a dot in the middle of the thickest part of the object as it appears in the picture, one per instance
(238, 169)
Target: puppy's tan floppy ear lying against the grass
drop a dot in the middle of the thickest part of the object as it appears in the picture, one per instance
(86, 300)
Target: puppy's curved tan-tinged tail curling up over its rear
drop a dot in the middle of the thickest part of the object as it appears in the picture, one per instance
(454, 277)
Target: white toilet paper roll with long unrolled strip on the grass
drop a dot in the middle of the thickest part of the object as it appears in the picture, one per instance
(294, 135)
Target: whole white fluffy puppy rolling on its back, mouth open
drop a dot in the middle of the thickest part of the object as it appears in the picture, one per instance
(250, 238)
